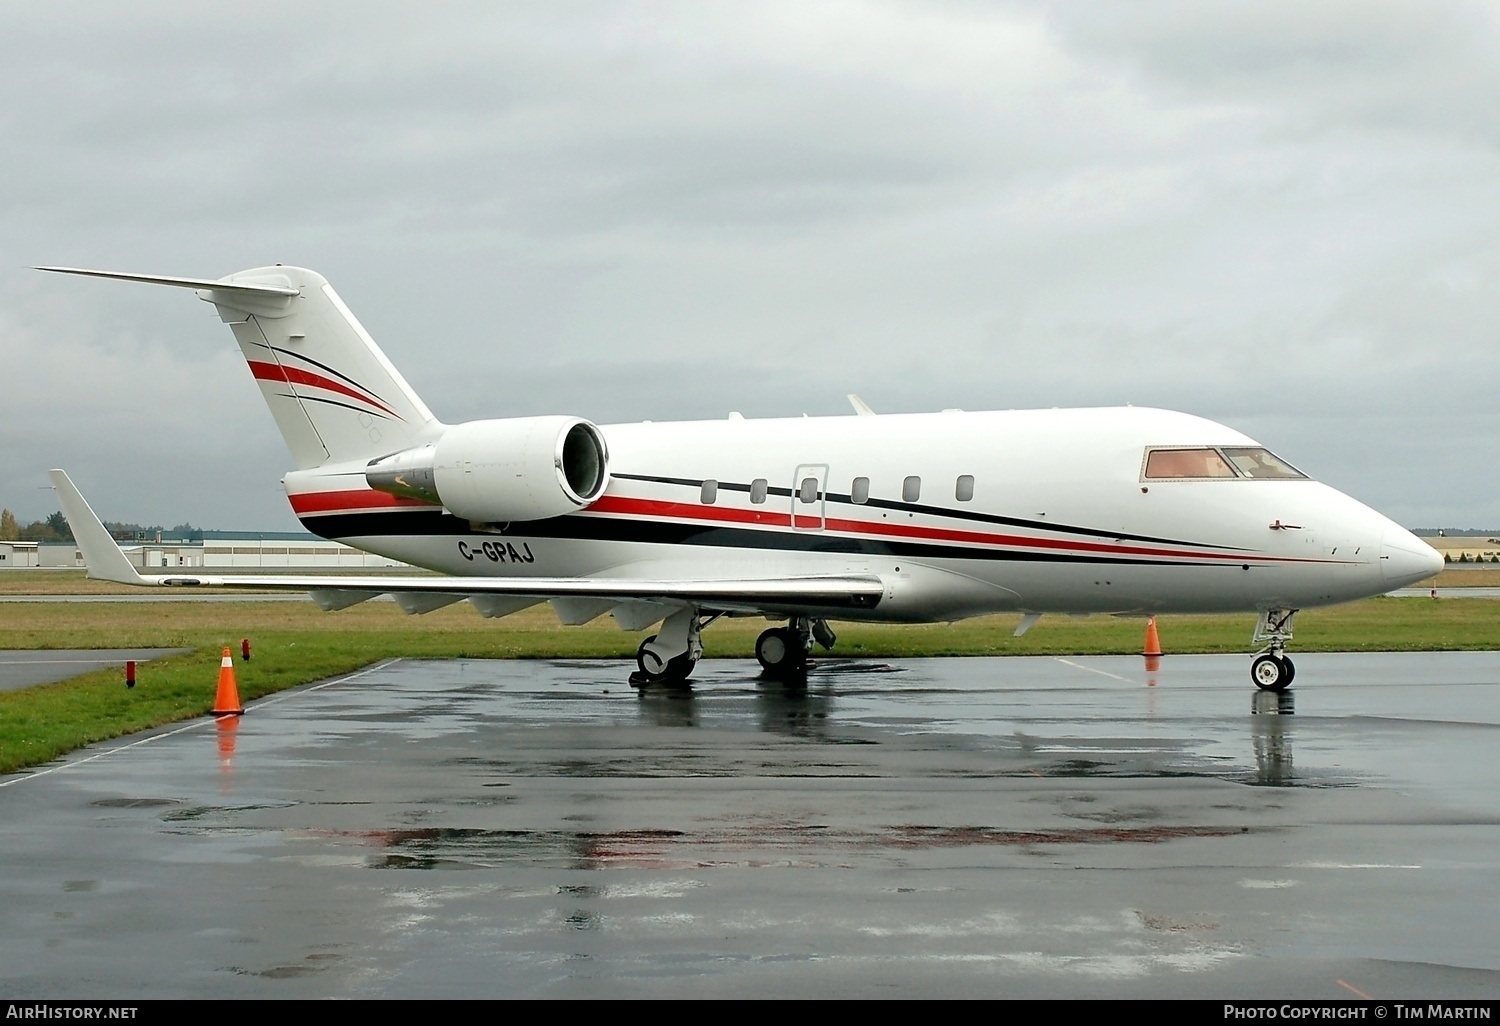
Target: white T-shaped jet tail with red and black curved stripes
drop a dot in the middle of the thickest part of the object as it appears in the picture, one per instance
(331, 389)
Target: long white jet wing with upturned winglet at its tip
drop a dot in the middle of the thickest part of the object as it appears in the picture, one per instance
(106, 562)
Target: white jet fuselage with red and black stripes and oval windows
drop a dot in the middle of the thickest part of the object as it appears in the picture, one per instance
(1058, 517)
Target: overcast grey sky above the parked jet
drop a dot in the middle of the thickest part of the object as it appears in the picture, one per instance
(1282, 217)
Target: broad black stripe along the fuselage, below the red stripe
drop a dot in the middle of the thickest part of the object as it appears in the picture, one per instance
(602, 529)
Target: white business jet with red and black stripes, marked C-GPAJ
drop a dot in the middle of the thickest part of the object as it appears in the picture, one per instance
(920, 518)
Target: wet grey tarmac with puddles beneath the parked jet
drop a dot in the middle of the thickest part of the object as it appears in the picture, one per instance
(967, 827)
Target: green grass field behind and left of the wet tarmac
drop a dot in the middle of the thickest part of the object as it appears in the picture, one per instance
(296, 644)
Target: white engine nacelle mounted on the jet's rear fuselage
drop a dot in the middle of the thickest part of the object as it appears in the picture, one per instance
(496, 472)
